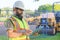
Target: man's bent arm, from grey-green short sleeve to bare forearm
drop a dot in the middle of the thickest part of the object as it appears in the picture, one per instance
(9, 27)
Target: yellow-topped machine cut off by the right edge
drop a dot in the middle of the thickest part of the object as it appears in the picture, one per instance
(56, 10)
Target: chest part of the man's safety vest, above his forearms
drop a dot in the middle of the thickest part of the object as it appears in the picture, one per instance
(21, 24)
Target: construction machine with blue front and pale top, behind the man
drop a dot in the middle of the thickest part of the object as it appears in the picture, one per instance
(47, 24)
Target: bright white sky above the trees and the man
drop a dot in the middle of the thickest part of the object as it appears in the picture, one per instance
(29, 4)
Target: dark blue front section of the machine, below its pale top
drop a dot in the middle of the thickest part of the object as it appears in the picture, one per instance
(45, 27)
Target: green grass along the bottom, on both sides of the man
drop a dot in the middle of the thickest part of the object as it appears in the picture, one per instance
(55, 37)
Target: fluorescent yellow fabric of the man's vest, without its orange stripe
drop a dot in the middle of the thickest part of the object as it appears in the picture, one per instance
(23, 25)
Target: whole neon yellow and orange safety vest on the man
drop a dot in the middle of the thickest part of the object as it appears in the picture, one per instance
(21, 26)
